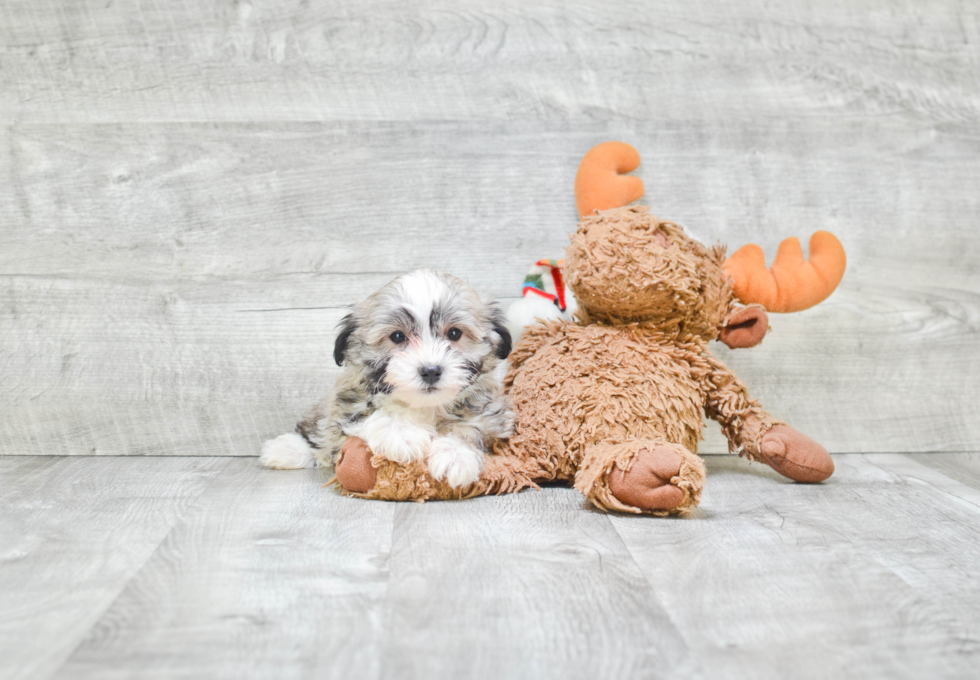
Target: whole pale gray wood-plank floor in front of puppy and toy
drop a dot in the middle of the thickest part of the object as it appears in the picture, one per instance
(174, 567)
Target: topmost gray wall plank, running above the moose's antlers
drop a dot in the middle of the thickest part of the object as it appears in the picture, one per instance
(452, 60)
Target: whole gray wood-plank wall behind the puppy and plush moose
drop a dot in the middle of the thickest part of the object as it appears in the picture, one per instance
(192, 192)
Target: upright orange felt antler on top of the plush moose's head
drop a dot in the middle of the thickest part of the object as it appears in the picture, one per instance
(600, 184)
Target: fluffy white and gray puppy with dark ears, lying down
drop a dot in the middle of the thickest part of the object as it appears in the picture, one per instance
(422, 360)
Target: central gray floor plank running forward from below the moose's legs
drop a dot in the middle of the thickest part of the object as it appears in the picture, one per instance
(526, 586)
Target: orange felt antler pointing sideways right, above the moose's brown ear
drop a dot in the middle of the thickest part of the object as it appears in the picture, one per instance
(792, 284)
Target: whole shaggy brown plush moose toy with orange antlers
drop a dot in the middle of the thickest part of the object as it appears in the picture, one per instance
(612, 401)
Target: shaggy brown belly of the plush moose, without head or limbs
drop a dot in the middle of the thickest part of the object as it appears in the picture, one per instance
(592, 384)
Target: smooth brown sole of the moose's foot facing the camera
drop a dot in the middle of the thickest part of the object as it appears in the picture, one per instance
(646, 485)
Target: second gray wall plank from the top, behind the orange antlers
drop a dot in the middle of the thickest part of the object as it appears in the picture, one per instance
(272, 203)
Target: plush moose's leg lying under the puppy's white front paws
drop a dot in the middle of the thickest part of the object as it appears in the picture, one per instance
(363, 474)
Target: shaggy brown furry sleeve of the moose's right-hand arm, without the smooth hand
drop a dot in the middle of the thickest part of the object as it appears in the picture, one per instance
(743, 420)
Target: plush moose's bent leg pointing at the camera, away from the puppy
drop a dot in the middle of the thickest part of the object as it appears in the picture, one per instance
(641, 476)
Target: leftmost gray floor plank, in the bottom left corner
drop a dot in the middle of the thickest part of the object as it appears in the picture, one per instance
(72, 534)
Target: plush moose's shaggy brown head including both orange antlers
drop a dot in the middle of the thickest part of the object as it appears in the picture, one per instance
(625, 265)
